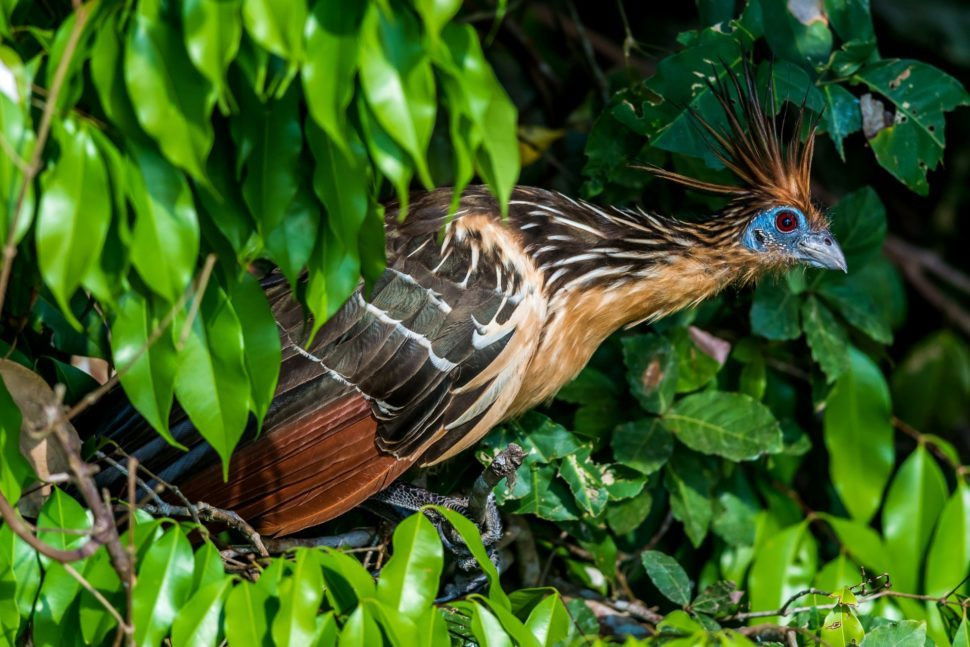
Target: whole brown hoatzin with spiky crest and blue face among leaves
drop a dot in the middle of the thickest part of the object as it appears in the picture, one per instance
(477, 318)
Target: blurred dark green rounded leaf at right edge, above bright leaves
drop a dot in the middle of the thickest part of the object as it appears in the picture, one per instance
(932, 384)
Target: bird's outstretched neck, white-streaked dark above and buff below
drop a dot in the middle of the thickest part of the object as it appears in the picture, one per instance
(606, 268)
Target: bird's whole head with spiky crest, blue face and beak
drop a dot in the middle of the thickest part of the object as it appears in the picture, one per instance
(770, 218)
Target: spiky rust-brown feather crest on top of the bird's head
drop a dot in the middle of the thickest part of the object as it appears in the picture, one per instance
(773, 168)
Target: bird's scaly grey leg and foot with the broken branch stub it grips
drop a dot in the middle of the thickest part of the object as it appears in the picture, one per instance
(479, 506)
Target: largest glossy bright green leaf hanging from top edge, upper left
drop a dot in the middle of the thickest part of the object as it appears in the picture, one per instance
(172, 99)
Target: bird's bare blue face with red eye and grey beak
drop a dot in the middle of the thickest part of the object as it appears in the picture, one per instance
(785, 230)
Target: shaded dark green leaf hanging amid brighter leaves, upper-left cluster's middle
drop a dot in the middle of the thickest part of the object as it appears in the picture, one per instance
(272, 166)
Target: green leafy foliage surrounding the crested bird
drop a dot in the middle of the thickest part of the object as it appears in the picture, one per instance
(777, 438)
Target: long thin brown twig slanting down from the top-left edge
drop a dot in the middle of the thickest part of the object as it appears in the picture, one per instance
(81, 13)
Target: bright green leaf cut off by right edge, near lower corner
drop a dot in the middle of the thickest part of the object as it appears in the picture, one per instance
(948, 558)
